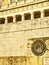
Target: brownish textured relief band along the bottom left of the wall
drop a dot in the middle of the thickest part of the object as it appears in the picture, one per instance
(13, 60)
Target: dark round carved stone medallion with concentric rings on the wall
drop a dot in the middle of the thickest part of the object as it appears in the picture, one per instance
(38, 47)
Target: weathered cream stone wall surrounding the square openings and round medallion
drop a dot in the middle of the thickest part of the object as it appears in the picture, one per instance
(16, 38)
